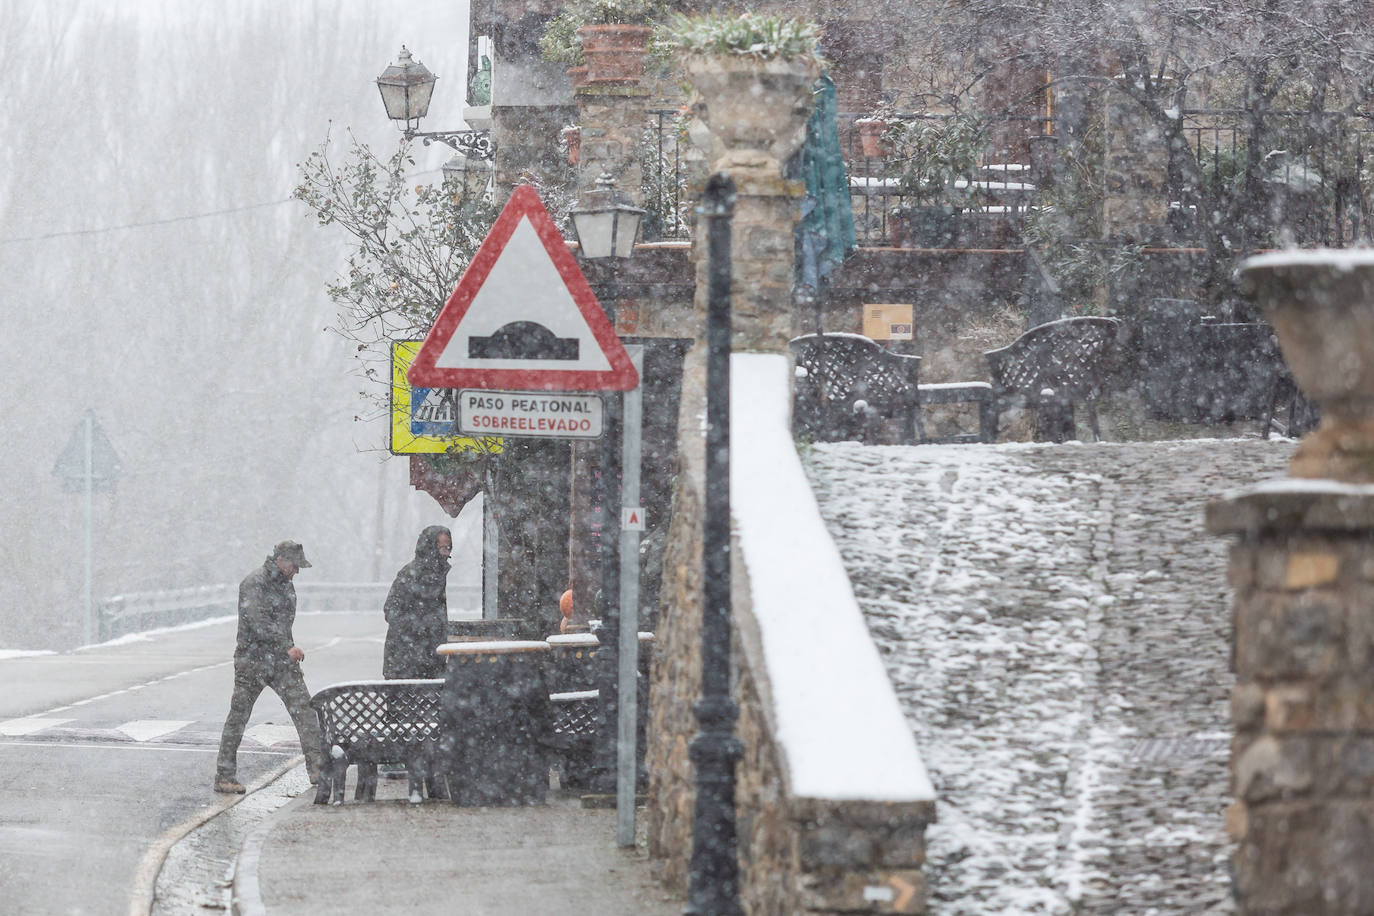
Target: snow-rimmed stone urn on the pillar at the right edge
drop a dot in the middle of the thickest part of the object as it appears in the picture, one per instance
(1322, 307)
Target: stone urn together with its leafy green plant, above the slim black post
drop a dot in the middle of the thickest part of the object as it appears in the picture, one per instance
(754, 75)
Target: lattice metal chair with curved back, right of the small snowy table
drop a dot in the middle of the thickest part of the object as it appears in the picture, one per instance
(1050, 369)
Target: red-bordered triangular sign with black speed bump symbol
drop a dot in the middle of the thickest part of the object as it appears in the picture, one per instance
(523, 317)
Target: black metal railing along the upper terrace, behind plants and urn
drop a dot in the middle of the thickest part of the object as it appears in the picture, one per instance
(1316, 189)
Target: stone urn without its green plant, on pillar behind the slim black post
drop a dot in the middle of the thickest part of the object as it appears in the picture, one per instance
(756, 111)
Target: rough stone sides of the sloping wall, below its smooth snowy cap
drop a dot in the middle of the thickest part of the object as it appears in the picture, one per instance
(796, 855)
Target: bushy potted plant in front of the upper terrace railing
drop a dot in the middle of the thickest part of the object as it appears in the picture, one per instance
(935, 163)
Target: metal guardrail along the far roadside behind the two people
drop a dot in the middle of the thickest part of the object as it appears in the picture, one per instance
(141, 612)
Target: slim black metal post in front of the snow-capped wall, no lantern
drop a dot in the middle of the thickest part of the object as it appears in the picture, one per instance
(714, 882)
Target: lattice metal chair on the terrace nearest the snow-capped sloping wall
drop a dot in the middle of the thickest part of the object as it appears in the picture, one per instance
(847, 385)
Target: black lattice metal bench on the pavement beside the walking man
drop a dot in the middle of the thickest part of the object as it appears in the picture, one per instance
(370, 723)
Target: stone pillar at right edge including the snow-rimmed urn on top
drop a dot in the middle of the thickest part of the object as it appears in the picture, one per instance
(1303, 572)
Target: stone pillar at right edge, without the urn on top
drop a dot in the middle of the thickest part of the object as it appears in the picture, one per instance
(1303, 707)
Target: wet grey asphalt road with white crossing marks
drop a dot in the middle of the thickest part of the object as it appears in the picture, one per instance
(108, 755)
